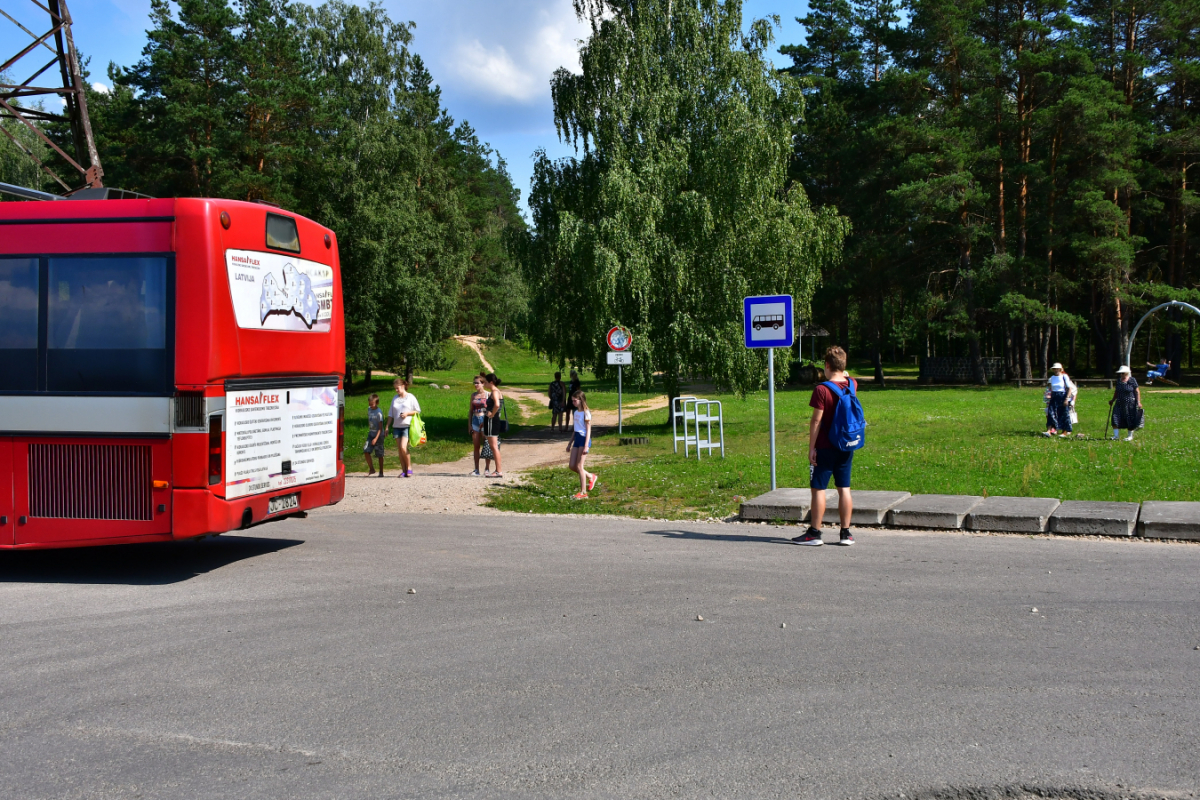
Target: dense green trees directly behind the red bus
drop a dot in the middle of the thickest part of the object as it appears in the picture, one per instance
(328, 112)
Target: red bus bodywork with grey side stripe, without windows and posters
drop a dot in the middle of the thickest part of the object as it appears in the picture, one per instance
(206, 350)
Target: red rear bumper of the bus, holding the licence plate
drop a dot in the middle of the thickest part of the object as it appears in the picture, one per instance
(199, 513)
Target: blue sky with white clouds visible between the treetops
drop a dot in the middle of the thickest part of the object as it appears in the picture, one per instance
(493, 58)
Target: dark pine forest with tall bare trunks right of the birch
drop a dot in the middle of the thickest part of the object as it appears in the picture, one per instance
(1019, 176)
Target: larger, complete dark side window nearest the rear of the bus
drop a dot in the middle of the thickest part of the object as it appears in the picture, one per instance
(107, 326)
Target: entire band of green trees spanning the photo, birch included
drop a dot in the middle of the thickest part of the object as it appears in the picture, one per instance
(1010, 182)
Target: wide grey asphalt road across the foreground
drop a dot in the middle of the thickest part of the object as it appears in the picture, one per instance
(562, 658)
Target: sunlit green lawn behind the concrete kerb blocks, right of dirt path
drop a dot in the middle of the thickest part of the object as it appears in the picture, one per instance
(957, 441)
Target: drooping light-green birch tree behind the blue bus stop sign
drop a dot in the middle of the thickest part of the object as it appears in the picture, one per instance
(679, 203)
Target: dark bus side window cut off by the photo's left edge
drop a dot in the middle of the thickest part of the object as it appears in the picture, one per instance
(19, 324)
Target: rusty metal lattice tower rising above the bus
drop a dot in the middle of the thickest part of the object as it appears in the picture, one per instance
(19, 101)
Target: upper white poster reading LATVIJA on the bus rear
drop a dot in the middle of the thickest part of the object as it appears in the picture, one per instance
(273, 292)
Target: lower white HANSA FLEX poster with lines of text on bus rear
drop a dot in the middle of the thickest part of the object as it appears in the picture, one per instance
(278, 438)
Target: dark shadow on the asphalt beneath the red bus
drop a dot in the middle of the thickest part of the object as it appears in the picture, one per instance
(141, 566)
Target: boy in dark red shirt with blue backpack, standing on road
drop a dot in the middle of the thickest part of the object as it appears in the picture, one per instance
(836, 431)
